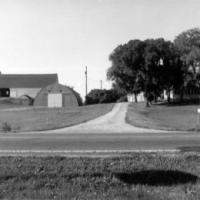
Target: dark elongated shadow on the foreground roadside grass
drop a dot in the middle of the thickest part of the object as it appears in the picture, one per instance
(157, 177)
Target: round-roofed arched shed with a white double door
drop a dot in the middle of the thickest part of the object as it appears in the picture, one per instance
(56, 95)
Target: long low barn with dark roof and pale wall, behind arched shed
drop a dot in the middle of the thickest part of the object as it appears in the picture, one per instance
(17, 85)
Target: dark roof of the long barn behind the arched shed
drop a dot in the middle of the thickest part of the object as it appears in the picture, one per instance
(27, 80)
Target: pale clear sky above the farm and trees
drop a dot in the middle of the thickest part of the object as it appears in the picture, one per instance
(64, 36)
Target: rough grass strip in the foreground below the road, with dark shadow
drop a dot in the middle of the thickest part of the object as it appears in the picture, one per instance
(138, 177)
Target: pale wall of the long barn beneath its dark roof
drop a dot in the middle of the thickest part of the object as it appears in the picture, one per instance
(17, 92)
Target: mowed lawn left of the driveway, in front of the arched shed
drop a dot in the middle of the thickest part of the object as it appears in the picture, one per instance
(33, 119)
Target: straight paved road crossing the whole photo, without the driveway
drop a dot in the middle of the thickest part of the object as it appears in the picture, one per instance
(96, 142)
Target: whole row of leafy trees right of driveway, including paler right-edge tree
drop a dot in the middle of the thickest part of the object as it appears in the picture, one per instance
(154, 65)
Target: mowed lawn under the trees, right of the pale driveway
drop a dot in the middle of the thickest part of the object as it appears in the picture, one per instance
(173, 117)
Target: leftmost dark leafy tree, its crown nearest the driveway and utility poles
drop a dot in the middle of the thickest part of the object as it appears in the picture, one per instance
(126, 60)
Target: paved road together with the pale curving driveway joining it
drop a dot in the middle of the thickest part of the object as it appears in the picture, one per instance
(107, 133)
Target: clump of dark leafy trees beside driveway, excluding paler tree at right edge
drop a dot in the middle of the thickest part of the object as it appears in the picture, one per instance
(150, 66)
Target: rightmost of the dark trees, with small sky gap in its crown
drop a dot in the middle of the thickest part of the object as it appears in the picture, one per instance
(169, 73)
